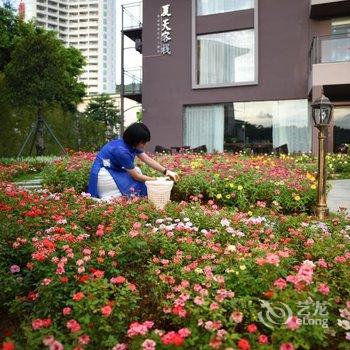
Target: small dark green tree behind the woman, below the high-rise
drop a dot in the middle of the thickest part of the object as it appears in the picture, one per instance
(102, 108)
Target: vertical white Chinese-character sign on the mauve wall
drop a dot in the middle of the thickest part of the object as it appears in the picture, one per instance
(164, 32)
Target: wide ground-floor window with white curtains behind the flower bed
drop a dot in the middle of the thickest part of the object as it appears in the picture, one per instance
(260, 126)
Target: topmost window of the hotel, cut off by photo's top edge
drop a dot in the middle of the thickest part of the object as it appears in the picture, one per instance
(208, 7)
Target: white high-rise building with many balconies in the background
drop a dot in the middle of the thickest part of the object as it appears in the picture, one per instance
(88, 25)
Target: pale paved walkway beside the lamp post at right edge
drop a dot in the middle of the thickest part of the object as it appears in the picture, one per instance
(339, 195)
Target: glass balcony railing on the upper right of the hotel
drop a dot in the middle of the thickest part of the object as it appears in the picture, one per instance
(330, 49)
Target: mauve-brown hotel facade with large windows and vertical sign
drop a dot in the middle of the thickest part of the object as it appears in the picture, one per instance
(232, 74)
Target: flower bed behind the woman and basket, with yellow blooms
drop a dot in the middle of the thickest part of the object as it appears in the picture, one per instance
(232, 180)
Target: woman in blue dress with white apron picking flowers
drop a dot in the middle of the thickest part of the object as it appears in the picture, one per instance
(113, 172)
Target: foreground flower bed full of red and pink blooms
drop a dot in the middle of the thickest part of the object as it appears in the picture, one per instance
(81, 275)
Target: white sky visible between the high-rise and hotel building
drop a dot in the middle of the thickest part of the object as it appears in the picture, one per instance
(133, 58)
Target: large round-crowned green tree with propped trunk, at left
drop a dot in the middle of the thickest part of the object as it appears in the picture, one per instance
(42, 72)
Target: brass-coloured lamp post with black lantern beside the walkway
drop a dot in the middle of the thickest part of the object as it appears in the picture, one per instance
(322, 114)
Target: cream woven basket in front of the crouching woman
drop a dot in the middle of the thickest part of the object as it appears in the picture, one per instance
(159, 191)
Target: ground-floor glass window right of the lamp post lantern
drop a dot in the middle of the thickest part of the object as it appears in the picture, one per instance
(341, 127)
